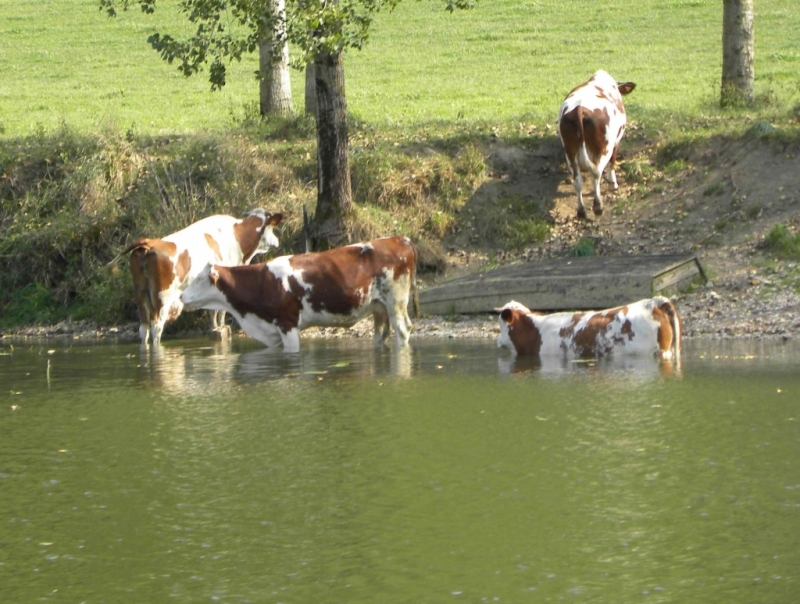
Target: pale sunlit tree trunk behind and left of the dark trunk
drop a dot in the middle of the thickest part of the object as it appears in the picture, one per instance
(275, 91)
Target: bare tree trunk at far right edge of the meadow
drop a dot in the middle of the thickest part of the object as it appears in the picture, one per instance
(738, 53)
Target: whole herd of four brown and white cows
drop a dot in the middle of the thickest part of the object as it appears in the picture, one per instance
(207, 266)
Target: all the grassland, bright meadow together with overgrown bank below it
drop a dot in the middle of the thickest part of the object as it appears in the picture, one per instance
(102, 142)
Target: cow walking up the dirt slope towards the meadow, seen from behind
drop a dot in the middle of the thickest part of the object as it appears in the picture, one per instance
(591, 124)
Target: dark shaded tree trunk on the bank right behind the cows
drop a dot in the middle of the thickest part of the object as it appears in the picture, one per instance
(334, 194)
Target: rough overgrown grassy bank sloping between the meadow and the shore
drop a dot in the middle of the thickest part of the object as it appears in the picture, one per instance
(71, 201)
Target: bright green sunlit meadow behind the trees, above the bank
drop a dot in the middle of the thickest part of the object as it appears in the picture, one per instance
(66, 62)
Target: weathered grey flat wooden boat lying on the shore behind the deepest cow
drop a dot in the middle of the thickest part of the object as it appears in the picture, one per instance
(575, 283)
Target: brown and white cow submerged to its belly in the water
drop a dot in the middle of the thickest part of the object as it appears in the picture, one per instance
(646, 327)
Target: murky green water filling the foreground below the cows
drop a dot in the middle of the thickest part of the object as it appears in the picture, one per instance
(443, 473)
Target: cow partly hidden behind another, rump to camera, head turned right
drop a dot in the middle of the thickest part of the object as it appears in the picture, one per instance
(162, 268)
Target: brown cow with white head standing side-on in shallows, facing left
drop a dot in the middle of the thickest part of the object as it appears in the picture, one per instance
(274, 301)
